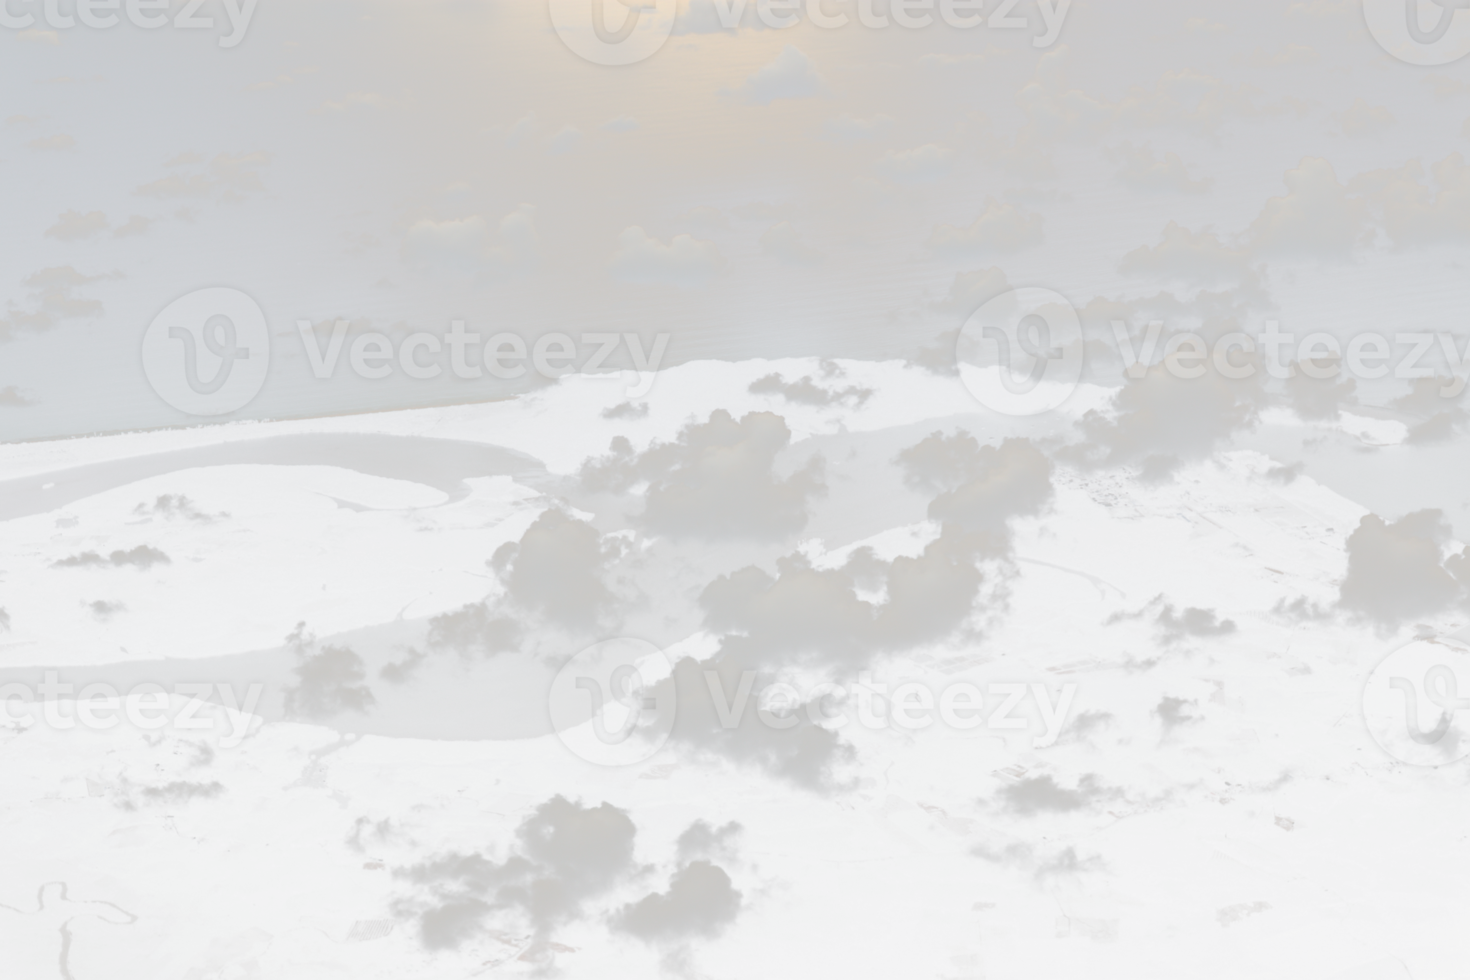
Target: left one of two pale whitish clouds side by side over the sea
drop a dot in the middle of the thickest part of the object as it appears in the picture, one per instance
(434, 246)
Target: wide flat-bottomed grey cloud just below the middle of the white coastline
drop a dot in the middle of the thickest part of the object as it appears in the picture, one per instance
(715, 484)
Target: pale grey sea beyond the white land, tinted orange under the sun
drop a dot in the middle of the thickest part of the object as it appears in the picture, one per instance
(476, 64)
